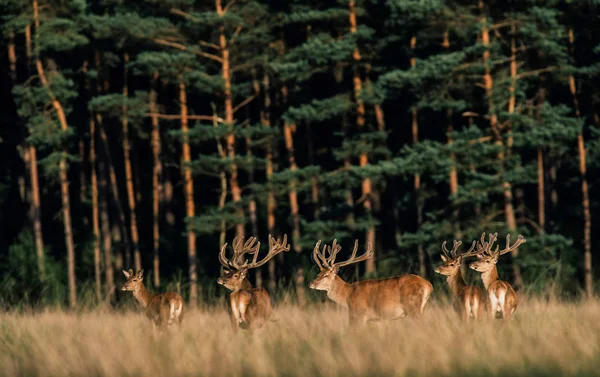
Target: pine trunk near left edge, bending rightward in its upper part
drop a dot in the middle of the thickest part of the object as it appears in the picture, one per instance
(64, 179)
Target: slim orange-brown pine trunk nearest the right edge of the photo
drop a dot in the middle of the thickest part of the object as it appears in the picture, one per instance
(585, 198)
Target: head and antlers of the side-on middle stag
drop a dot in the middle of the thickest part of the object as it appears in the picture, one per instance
(325, 260)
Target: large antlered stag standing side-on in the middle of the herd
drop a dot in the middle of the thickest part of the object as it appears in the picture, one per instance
(369, 300)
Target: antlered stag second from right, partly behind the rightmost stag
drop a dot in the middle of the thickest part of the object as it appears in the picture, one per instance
(468, 299)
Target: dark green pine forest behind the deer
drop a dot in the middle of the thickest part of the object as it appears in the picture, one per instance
(147, 134)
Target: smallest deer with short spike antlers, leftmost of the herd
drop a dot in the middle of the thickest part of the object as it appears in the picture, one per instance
(163, 309)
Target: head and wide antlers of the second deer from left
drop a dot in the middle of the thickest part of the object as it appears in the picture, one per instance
(235, 270)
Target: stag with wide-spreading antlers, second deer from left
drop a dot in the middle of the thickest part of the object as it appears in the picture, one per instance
(249, 308)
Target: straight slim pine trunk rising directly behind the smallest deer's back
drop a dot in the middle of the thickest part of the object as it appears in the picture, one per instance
(156, 189)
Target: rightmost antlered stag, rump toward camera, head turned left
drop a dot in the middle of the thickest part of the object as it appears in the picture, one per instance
(502, 298)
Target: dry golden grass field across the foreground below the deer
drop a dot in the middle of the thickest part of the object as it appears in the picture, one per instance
(549, 339)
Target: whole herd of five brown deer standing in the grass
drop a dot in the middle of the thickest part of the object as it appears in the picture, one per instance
(369, 300)
